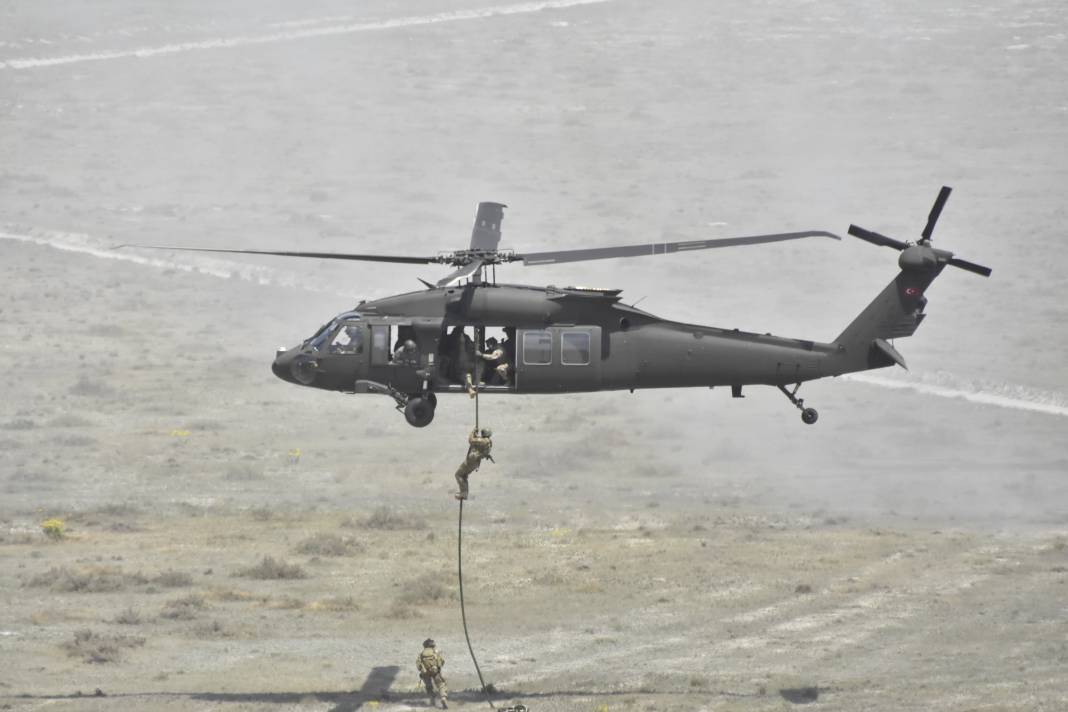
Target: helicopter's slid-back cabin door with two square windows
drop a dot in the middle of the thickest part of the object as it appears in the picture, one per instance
(558, 359)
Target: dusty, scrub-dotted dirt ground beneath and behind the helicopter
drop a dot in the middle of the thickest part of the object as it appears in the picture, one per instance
(234, 543)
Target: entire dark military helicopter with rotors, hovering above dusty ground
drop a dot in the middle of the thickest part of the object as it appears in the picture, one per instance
(414, 346)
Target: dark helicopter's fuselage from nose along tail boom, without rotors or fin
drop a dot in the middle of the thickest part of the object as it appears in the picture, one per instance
(563, 341)
